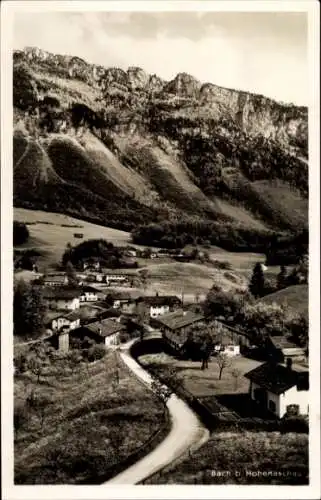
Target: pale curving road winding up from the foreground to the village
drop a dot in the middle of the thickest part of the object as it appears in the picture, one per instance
(186, 432)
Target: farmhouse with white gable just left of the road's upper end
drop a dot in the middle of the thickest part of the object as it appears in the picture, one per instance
(106, 331)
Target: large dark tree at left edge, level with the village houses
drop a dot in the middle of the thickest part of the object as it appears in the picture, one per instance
(28, 310)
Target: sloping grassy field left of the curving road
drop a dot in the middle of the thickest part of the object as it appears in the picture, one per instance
(93, 421)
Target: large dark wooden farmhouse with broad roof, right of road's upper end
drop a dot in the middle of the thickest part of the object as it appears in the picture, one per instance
(176, 326)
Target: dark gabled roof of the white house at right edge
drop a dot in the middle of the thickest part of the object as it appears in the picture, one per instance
(275, 378)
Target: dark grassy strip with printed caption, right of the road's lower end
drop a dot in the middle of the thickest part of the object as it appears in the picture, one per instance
(261, 458)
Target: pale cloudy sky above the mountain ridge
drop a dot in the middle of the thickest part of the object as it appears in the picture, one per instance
(260, 52)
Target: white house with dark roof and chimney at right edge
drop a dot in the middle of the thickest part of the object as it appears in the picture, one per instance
(280, 388)
